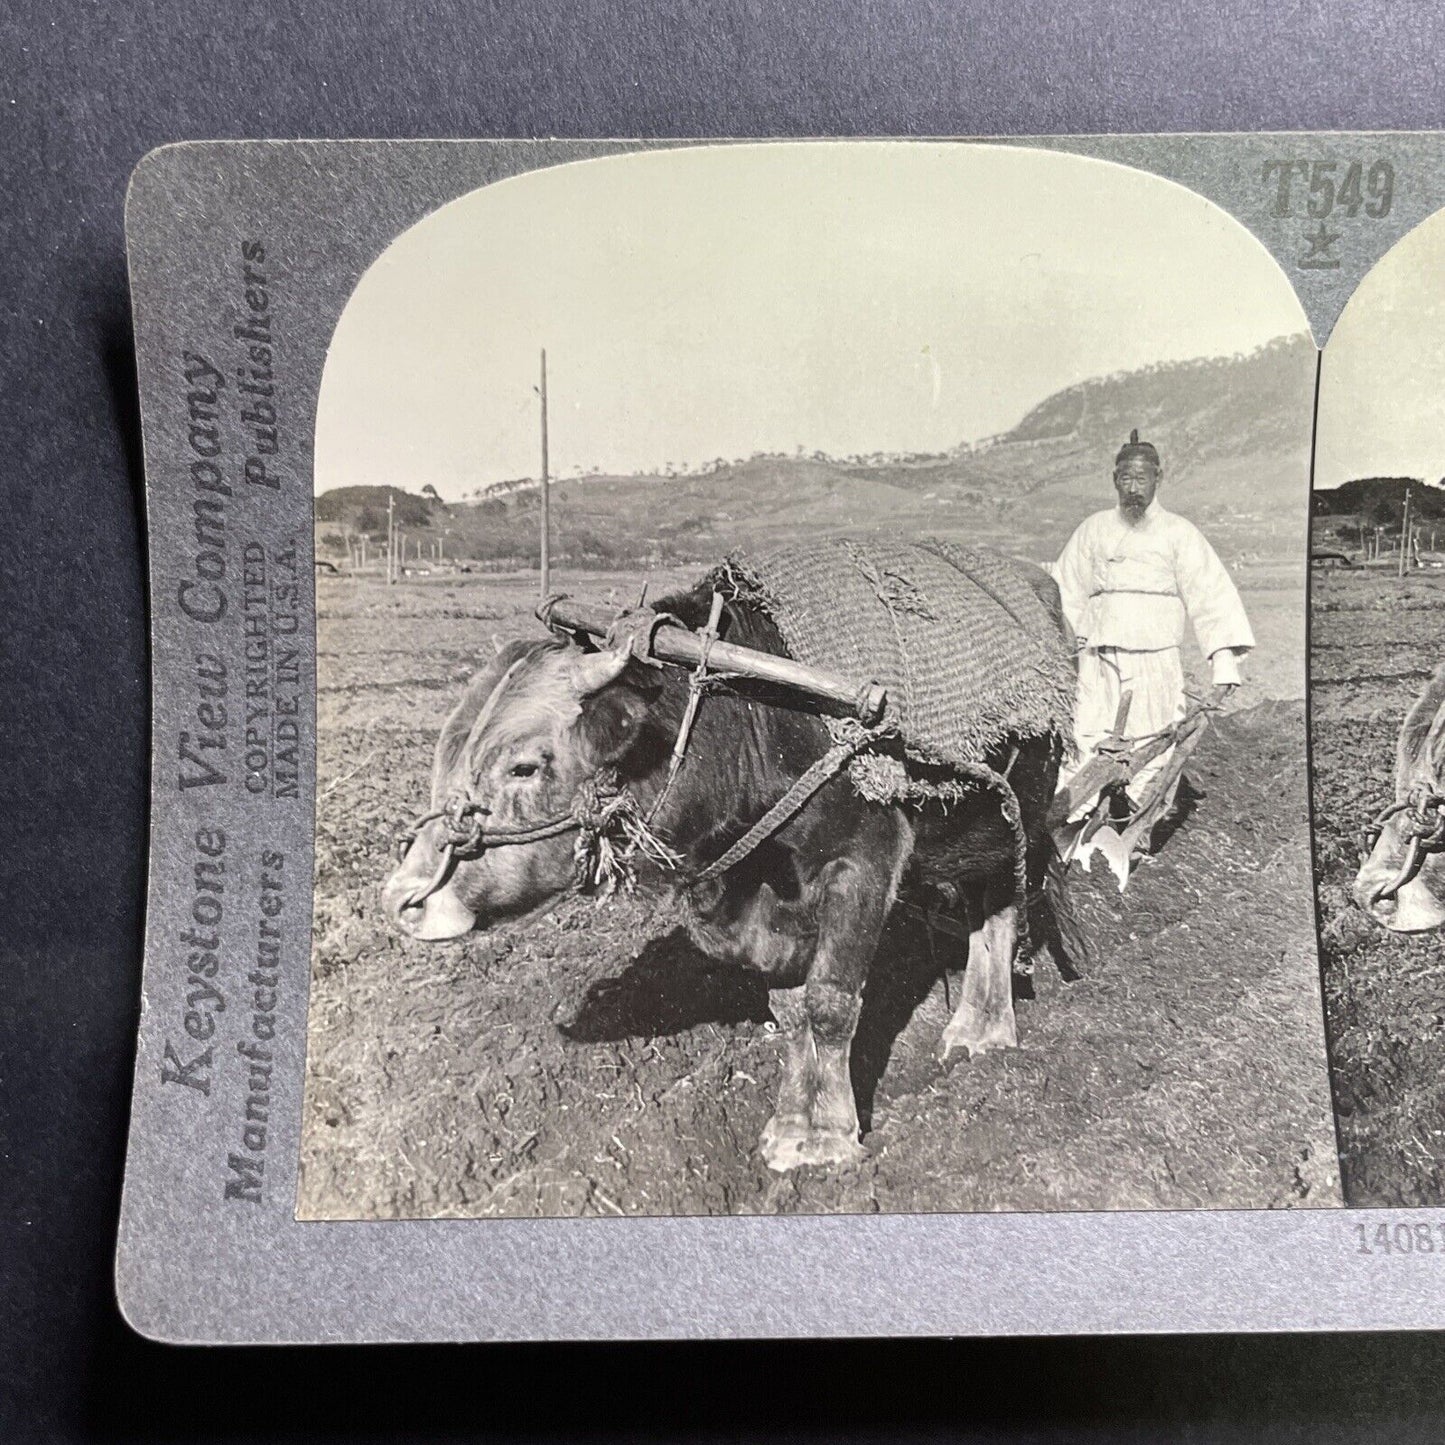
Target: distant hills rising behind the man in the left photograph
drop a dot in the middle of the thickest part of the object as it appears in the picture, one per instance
(1233, 434)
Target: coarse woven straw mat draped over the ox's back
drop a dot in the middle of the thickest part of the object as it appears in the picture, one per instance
(962, 638)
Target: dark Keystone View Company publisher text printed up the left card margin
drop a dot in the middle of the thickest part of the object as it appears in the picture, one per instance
(239, 600)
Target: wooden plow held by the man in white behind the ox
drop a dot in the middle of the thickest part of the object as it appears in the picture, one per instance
(1105, 778)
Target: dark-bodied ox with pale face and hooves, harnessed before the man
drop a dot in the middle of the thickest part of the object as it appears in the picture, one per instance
(545, 720)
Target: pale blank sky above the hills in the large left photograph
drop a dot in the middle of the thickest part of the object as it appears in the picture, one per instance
(729, 300)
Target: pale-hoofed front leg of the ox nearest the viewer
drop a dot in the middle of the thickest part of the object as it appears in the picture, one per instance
(817, 1116)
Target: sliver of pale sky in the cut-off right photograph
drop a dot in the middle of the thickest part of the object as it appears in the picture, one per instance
(1384, 375)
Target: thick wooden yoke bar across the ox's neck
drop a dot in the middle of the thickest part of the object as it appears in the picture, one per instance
(667, 642)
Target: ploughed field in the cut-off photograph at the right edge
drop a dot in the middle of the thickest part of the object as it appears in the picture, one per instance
(1375, 644)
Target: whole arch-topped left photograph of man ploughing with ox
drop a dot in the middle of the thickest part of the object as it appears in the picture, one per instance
(924, 417)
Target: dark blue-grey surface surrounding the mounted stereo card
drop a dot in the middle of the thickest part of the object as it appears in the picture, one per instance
(85, 92)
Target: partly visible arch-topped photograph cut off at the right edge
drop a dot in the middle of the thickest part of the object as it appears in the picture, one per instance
(1378, 722)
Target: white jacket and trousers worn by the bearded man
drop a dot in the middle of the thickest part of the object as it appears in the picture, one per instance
(1128, 590)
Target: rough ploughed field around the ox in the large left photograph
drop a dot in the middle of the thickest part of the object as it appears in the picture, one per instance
(592, 1063)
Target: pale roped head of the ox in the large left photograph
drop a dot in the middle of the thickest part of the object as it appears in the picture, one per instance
(528, 733)
